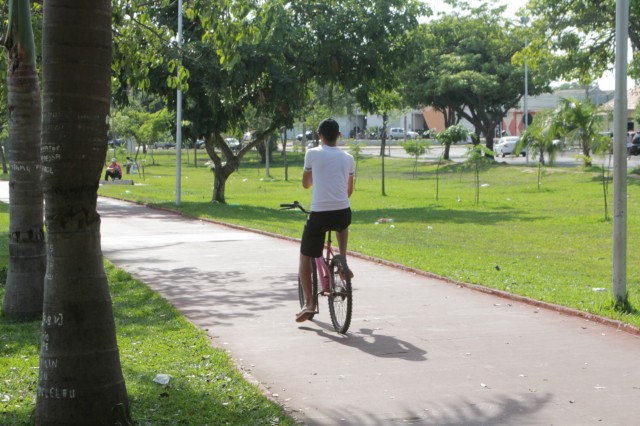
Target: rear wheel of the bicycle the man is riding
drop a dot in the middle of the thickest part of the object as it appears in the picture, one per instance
(341, 298)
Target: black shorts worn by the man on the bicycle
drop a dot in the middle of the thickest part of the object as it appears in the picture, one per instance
(317, 226)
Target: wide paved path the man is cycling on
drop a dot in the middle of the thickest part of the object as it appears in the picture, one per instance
(419, 351)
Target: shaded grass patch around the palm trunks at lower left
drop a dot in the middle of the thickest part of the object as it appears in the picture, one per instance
(153, 337)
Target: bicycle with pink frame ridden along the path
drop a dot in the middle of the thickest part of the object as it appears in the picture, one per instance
(335, 280)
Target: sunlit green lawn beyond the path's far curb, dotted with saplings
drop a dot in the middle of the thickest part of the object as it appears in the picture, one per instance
(551, 244)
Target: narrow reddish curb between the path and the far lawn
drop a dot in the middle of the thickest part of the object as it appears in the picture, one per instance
(619, 325)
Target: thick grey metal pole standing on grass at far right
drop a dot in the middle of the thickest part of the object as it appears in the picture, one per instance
(620, 117)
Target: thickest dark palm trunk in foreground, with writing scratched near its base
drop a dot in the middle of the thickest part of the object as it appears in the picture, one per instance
(80, 378)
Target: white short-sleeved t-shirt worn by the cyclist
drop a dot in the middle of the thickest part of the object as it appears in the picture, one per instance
(330, 167)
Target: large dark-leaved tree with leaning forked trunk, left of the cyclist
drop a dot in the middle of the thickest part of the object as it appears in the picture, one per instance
(264, 55)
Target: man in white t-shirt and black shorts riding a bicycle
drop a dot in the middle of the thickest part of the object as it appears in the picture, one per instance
(330, 171)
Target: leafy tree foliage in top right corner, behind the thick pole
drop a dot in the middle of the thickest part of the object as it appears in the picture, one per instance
(577, 36)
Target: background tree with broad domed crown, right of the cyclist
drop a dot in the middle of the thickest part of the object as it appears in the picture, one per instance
(467, 67)
